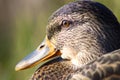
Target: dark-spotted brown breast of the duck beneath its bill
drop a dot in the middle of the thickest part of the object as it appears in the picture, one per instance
(53, 71)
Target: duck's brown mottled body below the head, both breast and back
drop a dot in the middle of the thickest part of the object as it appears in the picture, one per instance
(106, 67)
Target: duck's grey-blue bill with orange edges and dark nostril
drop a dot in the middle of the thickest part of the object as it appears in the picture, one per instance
(45, 51)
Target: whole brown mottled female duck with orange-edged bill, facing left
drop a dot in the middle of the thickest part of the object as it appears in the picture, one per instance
(78, 37)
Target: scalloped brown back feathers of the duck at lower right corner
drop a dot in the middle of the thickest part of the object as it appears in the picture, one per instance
(106, 67)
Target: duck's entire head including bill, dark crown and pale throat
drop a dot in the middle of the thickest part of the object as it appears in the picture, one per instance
(80, 32)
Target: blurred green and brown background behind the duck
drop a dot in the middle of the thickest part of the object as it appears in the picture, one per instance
(22, 28)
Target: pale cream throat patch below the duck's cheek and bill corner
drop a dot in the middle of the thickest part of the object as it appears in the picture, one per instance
(81, 57)
